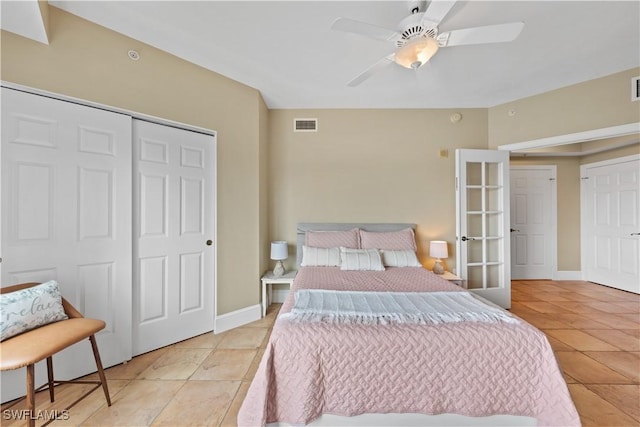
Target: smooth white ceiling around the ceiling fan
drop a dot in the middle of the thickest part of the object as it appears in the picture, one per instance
(286, 50)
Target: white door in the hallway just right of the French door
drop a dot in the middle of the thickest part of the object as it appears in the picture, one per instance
(533, 221)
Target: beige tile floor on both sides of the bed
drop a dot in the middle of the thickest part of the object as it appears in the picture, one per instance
(594, 330)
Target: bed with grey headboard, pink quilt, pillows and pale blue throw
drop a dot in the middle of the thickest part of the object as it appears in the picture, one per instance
(367, 364)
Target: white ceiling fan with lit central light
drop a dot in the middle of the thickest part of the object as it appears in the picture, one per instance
(418, 38)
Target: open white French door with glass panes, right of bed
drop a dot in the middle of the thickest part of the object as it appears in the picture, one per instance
(482, 223)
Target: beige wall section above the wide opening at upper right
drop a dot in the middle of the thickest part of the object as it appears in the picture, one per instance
(585, 106)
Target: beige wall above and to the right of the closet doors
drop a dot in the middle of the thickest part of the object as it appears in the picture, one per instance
(90, 62)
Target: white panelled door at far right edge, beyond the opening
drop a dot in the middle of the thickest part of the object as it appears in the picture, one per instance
(611, 222)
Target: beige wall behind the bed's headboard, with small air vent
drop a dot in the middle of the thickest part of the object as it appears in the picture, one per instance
(369, 166)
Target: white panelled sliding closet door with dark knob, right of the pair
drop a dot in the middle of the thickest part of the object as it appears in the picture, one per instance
(174, 255)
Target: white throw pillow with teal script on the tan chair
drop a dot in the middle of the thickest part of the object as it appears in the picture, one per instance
(29, 308)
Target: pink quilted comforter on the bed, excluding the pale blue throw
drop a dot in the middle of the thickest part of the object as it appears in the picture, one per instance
(466, 368)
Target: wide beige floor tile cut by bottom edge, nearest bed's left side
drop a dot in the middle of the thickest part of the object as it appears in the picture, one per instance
(205, 402)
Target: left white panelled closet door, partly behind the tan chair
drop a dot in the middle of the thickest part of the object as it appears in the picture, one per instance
(66, 215)
